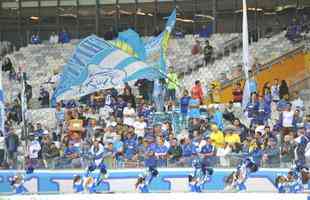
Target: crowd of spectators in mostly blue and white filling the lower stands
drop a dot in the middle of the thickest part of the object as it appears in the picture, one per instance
(121, 127)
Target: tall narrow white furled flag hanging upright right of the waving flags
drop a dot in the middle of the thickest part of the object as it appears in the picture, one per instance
(246, 57)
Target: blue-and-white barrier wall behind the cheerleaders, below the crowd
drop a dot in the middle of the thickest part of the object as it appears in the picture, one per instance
(44, 181)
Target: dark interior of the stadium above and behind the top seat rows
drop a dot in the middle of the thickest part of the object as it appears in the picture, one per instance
(19, 19)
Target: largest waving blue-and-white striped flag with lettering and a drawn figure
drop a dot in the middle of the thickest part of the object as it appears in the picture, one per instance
(98, 67)
